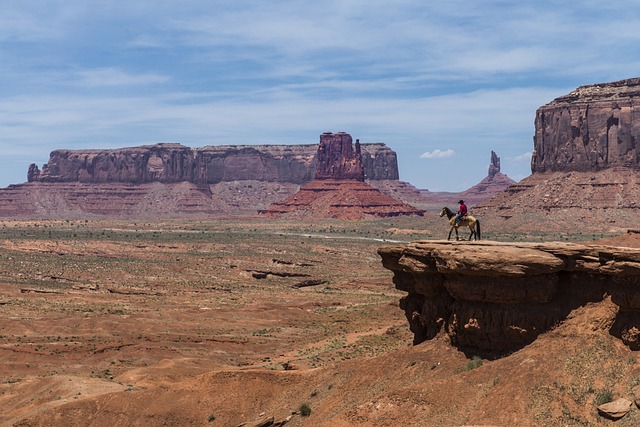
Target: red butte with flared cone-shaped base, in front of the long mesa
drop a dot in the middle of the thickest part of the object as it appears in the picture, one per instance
(338, 190)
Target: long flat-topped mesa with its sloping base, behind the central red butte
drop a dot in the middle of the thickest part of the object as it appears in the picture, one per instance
(173, 180)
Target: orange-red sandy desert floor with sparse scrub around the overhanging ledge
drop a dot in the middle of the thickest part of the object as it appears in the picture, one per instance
(219, 322)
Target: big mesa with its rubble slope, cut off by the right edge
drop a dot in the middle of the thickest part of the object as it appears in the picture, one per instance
(585, 164)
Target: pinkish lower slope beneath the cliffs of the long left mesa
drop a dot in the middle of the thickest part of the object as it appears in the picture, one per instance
(80, 200)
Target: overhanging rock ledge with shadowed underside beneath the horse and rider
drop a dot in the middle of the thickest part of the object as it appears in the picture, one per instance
(492, 297)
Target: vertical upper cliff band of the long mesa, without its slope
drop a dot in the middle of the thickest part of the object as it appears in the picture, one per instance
(172, 163)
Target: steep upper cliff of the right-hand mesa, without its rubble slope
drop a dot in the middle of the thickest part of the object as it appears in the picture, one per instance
(594, 127)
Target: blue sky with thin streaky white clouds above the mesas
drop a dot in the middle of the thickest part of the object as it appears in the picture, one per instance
(442, 83)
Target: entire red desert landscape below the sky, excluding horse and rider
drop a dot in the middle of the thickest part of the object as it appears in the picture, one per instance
(161, 285)
